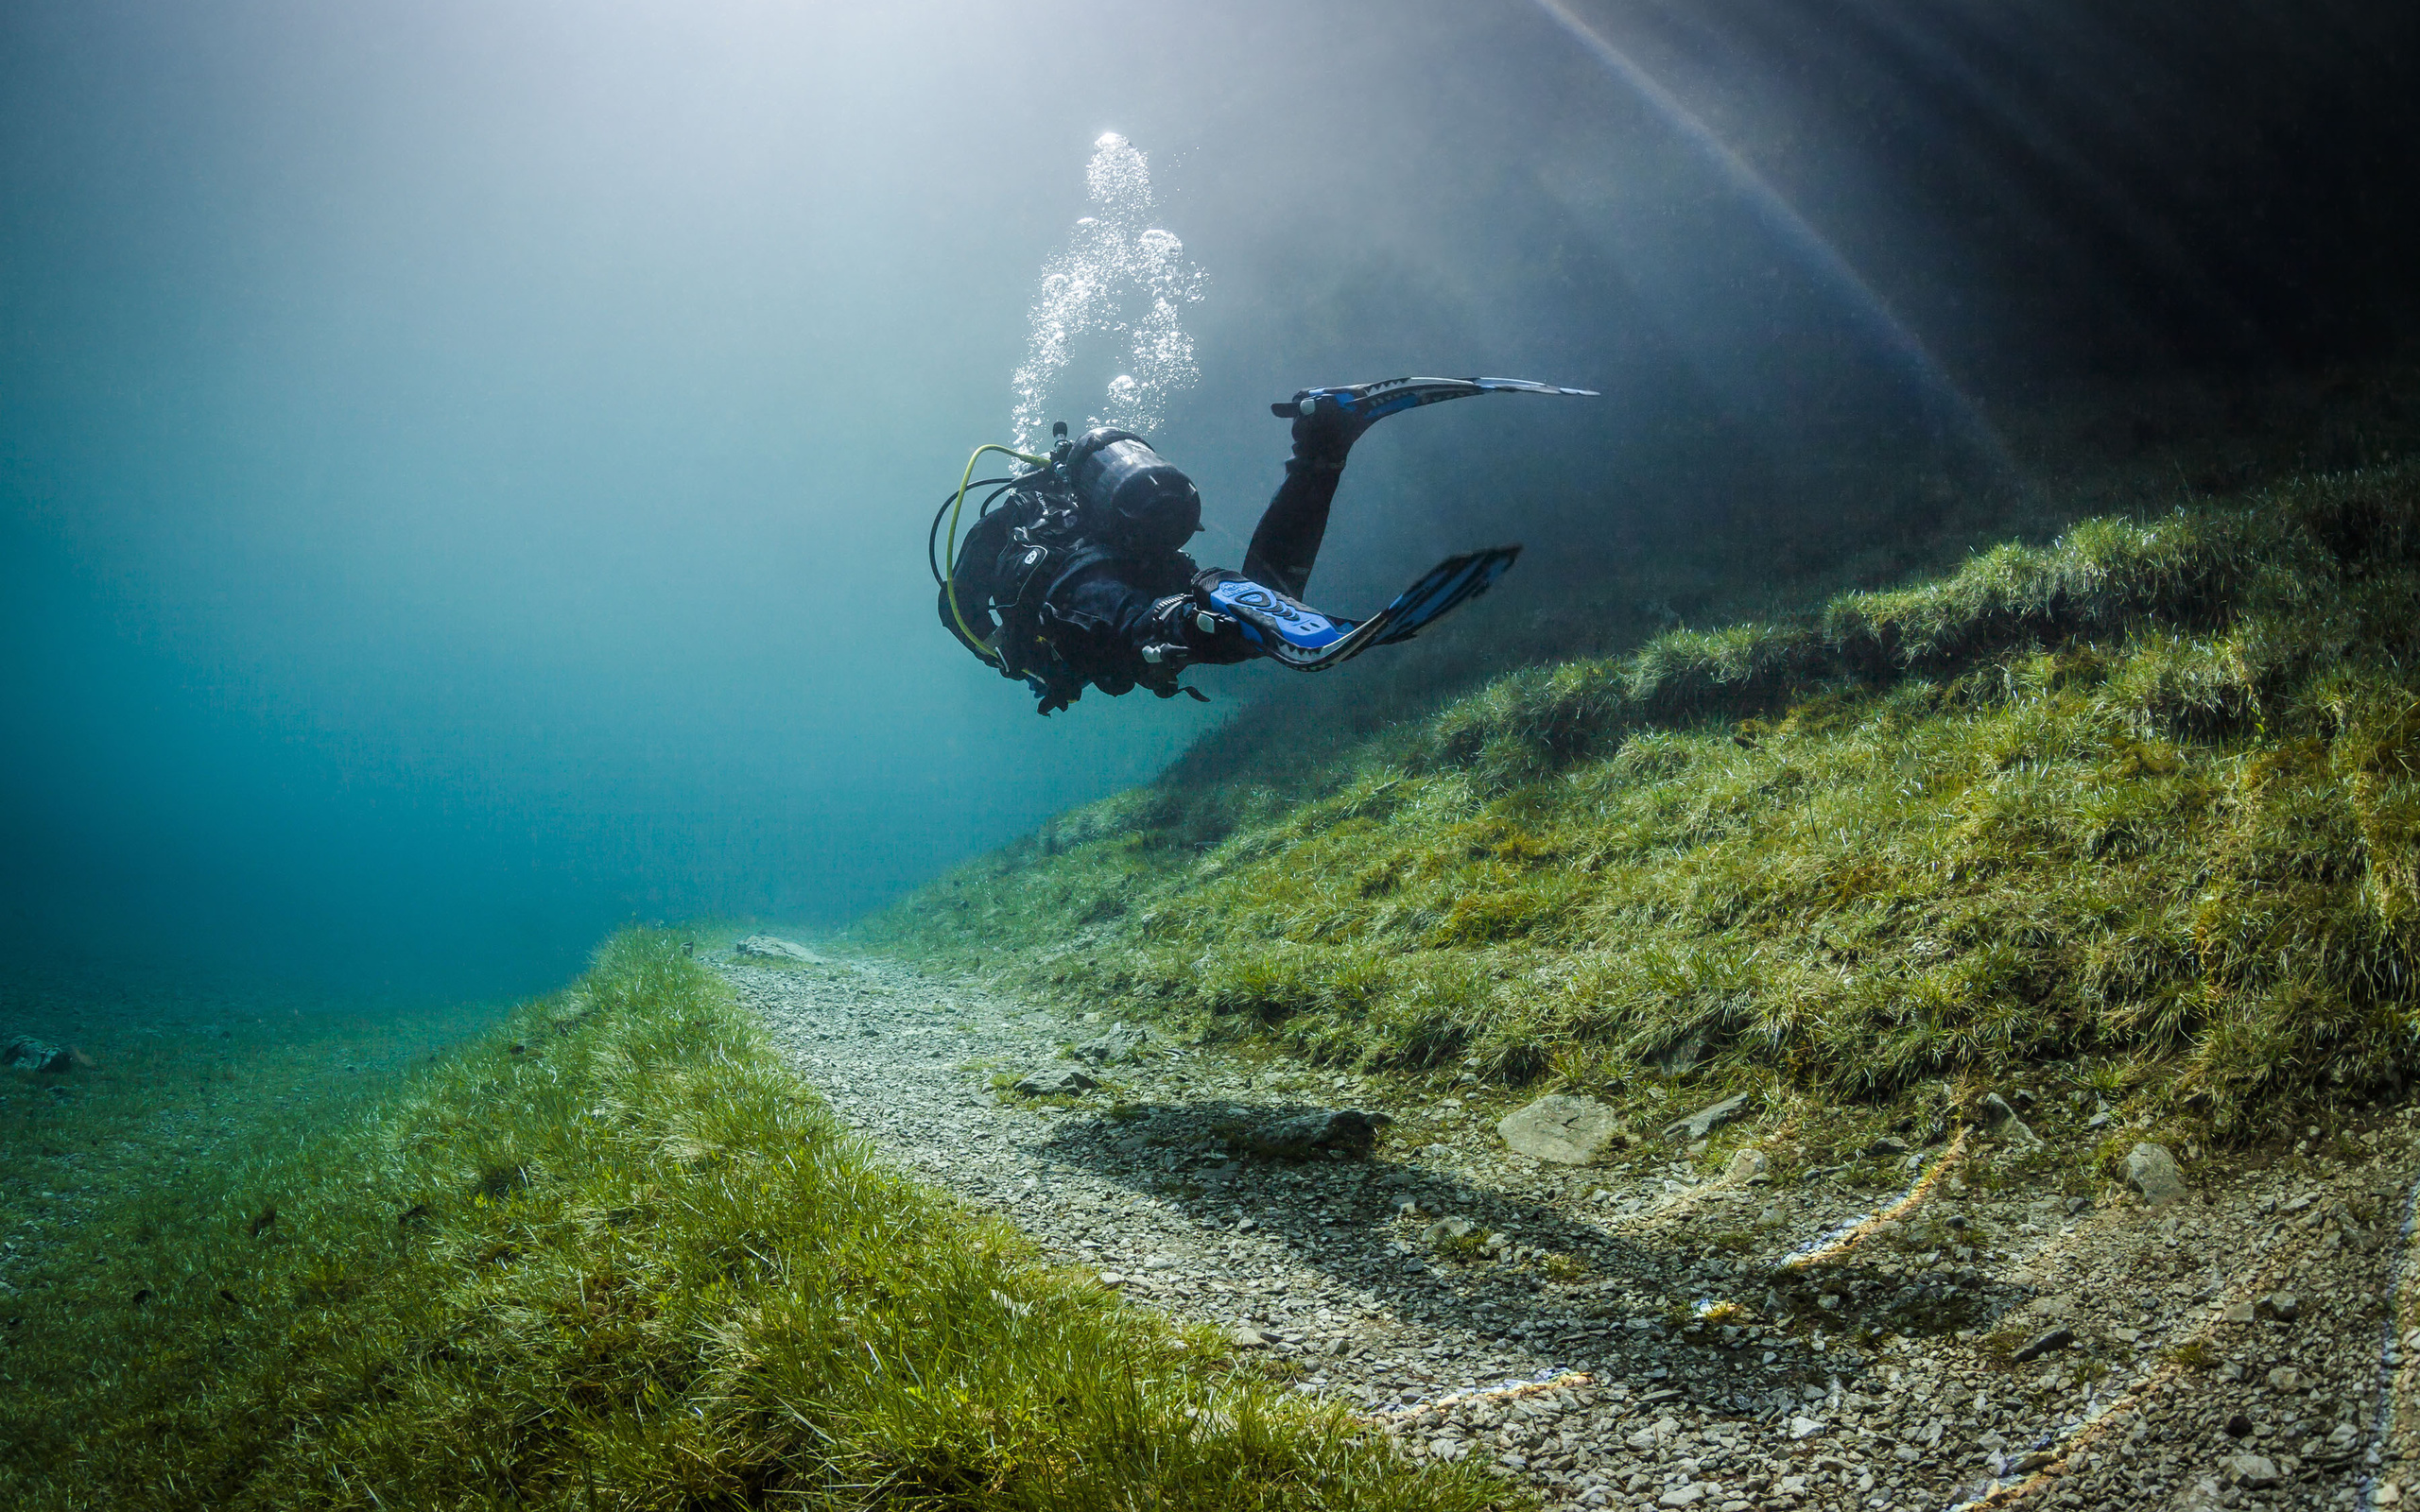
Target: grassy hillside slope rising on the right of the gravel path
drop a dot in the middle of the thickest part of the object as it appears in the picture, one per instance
(2143, 800)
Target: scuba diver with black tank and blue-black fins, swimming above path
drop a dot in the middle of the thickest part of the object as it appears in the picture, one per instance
(1076, 572)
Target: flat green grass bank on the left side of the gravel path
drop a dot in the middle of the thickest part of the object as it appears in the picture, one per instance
(616, 1257)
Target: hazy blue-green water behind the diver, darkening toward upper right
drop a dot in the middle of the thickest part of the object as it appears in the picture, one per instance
(463, 466)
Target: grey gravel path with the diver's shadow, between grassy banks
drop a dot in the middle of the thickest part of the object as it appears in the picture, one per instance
(1915, 1329)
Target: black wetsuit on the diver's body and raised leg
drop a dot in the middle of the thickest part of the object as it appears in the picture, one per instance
(1076, 611)
